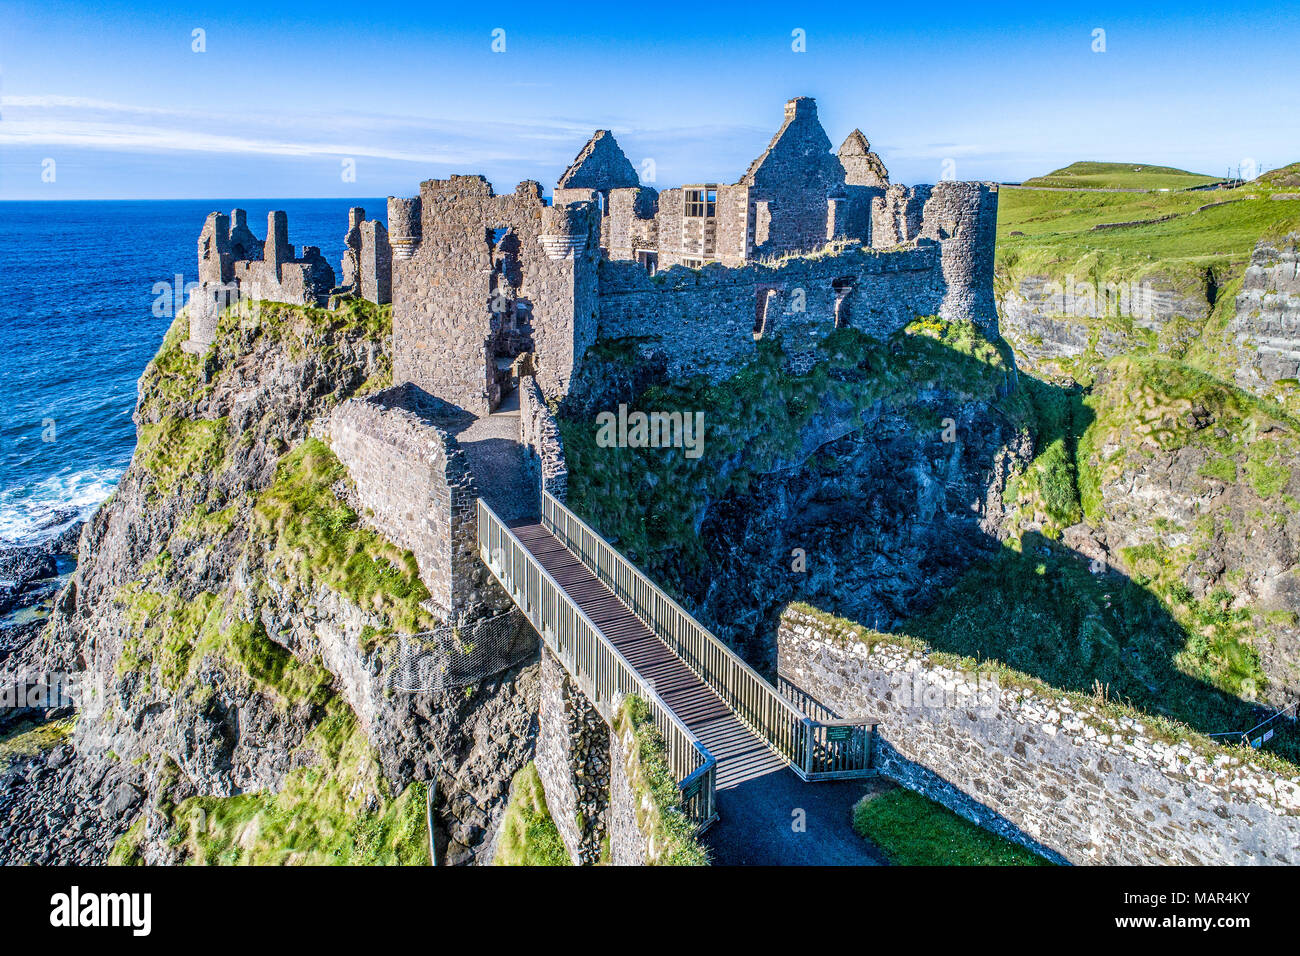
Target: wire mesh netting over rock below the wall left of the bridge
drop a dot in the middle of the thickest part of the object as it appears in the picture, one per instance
(456, 656)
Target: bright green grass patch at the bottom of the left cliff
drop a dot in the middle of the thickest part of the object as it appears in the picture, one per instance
(340, 810)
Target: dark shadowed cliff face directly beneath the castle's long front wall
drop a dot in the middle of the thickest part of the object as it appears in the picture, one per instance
(866, 483)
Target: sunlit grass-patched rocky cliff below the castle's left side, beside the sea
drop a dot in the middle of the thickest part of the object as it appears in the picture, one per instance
(232, 622)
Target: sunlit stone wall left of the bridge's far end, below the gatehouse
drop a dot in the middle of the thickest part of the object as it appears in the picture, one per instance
(414, 483)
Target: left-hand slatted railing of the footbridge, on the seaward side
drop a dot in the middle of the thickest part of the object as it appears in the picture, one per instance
(600, 671)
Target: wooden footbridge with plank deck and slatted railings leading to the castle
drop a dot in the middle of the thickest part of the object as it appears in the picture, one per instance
(618, 634)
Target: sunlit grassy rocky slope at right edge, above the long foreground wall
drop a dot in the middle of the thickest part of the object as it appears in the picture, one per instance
(1191, 486)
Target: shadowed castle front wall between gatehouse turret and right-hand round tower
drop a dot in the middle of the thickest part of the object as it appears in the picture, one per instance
(704, 322)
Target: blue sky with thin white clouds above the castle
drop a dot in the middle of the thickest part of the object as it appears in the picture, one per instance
(285, 94)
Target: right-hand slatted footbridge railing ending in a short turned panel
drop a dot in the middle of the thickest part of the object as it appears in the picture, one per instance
(816, 750)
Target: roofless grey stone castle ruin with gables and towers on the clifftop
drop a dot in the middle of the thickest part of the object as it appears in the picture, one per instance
(482, 284)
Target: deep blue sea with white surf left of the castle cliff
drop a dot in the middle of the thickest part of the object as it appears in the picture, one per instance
(83, 283)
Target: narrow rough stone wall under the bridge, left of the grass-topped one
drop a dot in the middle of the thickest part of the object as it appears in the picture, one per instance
(573, 762)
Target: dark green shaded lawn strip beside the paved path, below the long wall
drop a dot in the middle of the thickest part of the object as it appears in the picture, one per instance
(916, 832)
